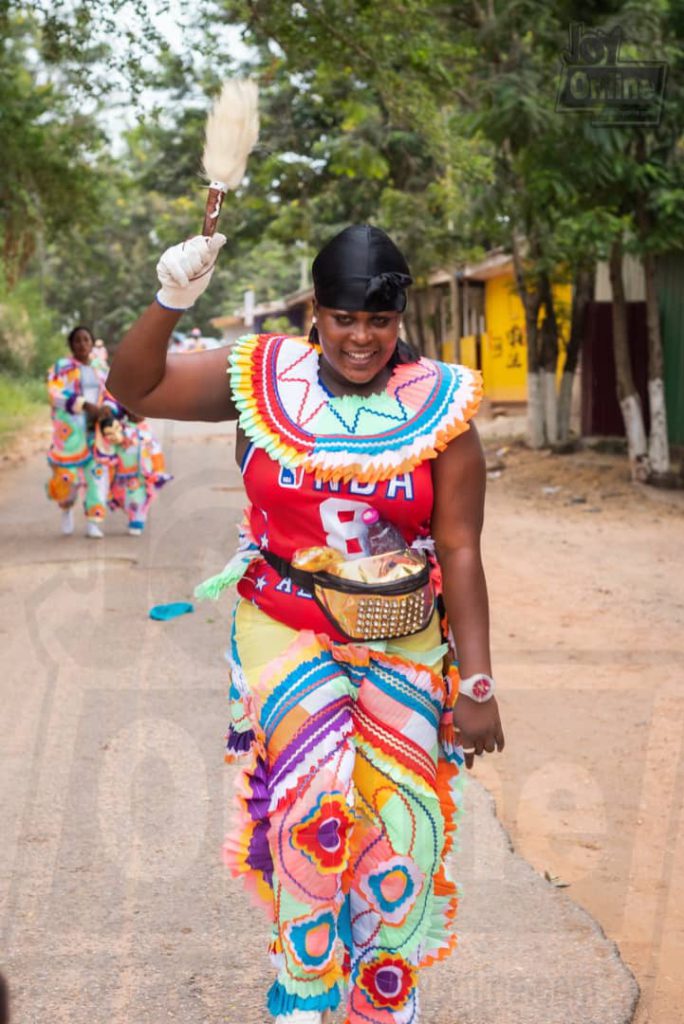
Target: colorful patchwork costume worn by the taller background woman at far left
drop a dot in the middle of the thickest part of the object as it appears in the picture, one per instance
(71, 456)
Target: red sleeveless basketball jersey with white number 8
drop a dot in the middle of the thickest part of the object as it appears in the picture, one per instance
(292, 509)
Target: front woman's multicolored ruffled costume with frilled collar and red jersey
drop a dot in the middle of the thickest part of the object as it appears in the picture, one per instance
(347, 807)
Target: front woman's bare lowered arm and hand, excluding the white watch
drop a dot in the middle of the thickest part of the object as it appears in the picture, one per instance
(459, 478)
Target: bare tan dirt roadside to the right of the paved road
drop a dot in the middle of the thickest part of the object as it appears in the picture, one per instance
(588, 636)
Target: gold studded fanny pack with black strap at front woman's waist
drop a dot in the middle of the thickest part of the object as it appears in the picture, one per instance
(362, 603)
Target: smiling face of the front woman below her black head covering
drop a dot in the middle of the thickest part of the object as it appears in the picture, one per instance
(357, 348)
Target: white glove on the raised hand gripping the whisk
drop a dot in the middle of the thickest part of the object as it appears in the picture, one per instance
(185, 271)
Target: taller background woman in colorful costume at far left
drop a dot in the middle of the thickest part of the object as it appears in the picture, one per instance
(76, 393)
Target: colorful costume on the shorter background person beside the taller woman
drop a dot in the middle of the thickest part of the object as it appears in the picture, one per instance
(136, 464)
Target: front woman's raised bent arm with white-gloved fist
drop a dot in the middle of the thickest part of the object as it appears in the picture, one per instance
(148, 381)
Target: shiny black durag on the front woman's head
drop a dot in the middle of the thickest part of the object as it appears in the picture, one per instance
(362, 270)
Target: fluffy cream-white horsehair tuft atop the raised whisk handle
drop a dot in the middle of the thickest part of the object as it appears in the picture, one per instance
(233, 130)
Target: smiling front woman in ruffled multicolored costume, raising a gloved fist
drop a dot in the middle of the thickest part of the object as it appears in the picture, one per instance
(354, 748)
